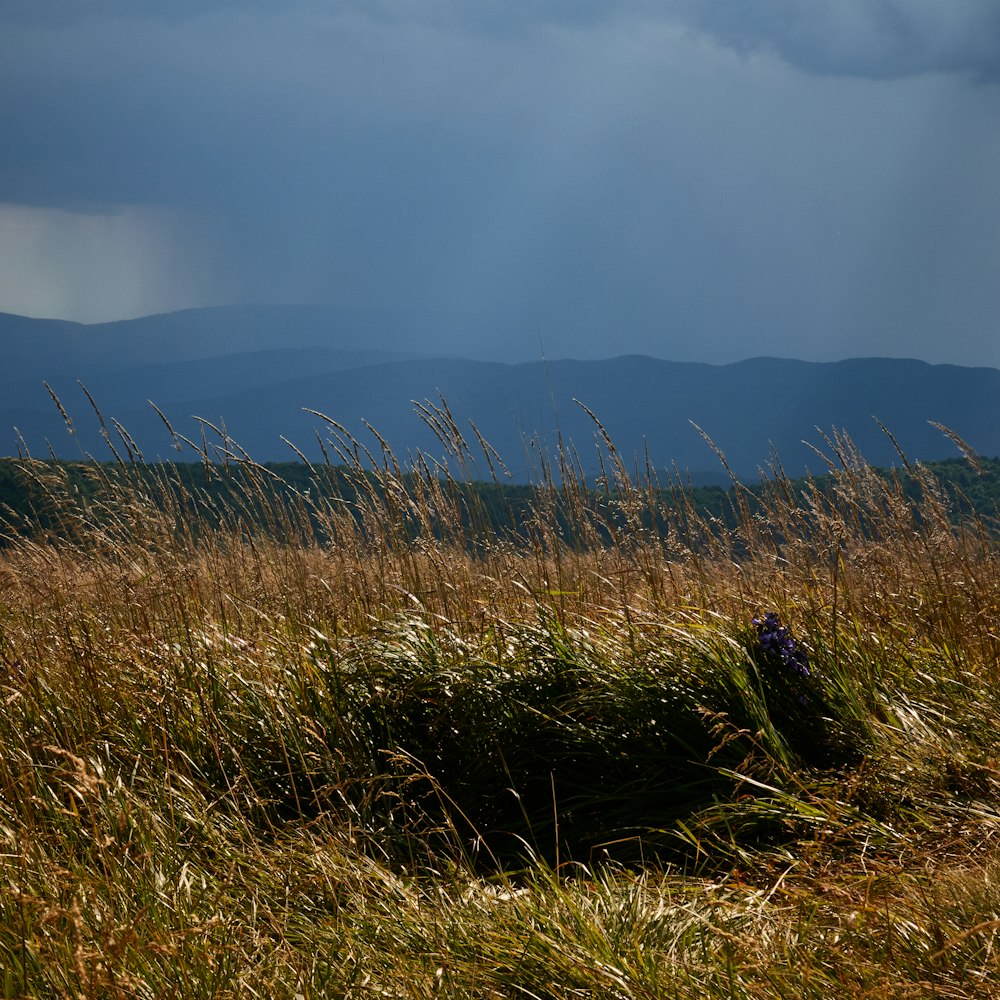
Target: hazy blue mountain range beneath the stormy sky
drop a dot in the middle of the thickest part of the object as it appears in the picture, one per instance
(256, 369)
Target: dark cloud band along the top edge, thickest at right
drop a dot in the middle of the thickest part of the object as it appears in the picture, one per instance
(876, 39)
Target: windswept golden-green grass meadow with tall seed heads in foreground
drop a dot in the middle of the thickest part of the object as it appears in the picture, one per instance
(301, 744)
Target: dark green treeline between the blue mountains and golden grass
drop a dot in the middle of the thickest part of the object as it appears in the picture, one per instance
(289, 497)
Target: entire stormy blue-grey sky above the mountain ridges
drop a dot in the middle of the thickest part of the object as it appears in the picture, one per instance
(702, 180)
